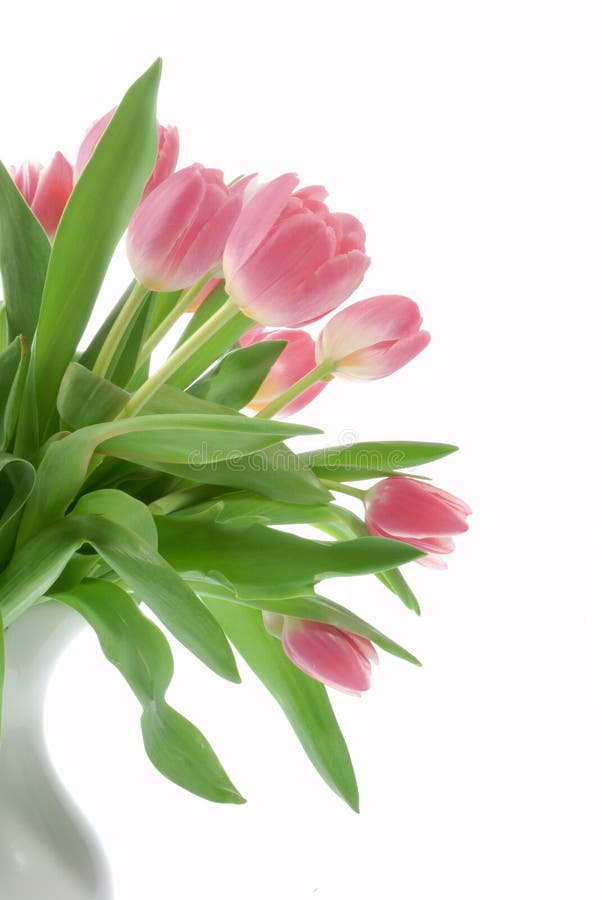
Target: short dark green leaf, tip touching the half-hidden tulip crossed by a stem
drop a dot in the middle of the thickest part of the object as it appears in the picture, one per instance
(239, 376)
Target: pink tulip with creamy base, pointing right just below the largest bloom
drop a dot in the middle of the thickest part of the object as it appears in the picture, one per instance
(373, 338)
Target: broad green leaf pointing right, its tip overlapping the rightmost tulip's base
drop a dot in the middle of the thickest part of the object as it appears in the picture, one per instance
(259, 561)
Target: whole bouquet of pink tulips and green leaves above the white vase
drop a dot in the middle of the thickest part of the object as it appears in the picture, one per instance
(128, 486)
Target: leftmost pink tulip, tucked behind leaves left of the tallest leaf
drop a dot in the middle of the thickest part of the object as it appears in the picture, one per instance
(46, 189)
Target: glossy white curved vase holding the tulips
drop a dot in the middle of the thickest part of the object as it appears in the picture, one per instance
(47, 850)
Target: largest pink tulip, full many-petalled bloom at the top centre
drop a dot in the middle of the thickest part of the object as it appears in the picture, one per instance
(289, 260)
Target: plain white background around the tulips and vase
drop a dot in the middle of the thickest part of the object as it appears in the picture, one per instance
(466, 137)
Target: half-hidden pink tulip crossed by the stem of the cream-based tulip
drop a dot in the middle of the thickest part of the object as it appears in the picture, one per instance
(296, 360)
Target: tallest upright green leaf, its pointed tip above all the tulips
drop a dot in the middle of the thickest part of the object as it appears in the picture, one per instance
(94, 219)
